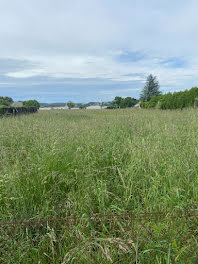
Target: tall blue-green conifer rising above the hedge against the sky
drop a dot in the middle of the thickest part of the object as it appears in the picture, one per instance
(151, 88)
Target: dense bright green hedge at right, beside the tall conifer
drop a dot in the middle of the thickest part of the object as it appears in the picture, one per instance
(177, 100)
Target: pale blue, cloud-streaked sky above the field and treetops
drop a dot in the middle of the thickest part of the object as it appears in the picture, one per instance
(92, 50)
